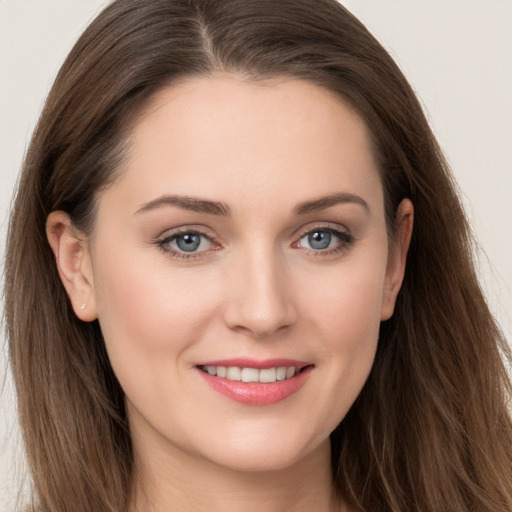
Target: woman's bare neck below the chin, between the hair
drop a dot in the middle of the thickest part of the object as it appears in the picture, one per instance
(173, 480)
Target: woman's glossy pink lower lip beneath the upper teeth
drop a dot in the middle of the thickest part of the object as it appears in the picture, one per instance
(256, 393)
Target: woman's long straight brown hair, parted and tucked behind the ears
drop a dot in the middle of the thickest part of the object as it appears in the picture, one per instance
(431, 430)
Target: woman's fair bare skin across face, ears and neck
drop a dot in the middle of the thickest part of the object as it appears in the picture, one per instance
(255, 287)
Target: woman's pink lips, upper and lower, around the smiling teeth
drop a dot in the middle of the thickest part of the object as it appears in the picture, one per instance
(255, 393)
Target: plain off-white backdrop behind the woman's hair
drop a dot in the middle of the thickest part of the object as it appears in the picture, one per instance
(456, 53)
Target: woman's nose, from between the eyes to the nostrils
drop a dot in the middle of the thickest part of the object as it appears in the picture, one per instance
(260, 299)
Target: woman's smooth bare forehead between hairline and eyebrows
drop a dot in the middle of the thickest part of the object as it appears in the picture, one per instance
(235, 140)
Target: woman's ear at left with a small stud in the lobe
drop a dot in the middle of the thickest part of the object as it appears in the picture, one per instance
(73, 264)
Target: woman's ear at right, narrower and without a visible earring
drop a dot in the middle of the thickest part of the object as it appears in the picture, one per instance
(397, 257)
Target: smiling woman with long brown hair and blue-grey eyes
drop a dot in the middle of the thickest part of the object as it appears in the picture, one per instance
(237, 271)
